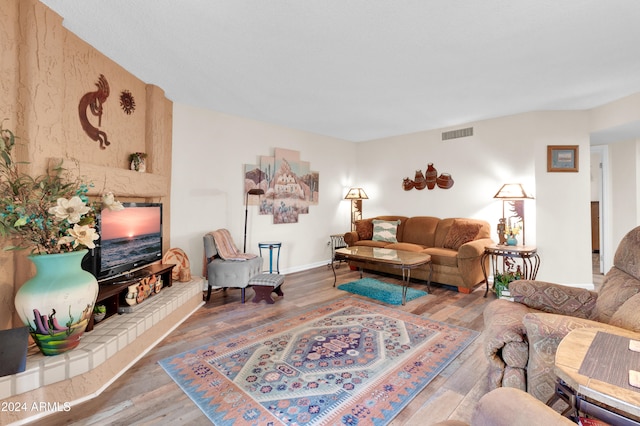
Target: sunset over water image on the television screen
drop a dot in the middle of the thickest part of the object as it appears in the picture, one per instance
(130, 222)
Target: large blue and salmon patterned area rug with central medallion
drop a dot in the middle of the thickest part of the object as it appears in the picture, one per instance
(346, 362)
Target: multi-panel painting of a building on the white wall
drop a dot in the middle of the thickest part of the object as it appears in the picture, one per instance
(289, 185)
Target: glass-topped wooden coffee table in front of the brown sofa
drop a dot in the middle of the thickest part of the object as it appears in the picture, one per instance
(404, 260)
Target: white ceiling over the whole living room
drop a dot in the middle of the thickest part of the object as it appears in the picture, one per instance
(366, 69)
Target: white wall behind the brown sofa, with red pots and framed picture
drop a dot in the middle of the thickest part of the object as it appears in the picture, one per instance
(503, 150)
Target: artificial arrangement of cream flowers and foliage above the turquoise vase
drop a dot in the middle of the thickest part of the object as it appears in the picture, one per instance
(47, 213)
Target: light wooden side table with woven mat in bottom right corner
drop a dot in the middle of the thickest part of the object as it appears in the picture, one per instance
(592, 369)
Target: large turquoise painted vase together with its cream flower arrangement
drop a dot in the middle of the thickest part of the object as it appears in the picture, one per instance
(51, 215)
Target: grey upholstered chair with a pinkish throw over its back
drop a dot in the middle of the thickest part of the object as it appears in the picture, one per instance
(228, 273)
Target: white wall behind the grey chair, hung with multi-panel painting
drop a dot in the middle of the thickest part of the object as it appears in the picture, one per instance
(209, 151)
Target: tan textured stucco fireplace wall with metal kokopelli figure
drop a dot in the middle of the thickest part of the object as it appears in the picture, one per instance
(44, 72)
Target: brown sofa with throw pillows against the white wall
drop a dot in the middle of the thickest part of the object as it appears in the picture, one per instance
(455, 246)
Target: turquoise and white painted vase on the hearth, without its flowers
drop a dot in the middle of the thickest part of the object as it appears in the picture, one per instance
(57, 303)
